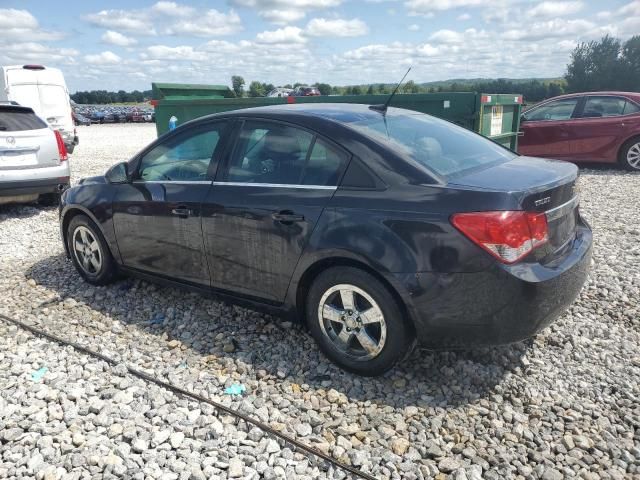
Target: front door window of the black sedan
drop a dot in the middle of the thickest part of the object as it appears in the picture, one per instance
(185, 157)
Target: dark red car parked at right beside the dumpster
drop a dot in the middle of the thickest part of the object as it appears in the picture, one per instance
(585, 127)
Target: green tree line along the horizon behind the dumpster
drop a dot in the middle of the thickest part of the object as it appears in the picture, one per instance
(608, 64)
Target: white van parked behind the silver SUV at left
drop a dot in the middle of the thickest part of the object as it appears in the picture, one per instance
(44, 90)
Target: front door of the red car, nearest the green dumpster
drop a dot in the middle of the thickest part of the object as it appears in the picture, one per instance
(547, 129)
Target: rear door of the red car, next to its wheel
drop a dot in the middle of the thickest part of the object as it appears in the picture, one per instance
(601, 128)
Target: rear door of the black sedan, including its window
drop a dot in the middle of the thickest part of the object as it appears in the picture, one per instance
(264, 205)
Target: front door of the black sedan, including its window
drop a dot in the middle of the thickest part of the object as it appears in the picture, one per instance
(157, 217)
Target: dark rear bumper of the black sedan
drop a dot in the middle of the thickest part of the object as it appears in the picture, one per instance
(501, 305)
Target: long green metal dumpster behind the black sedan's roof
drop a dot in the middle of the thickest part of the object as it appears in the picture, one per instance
(496, 116)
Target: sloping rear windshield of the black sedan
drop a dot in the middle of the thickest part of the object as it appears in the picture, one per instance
(440, 146)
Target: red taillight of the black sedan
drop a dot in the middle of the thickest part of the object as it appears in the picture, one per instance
(508, 236)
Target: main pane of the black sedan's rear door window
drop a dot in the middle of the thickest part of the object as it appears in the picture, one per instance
(269, 153)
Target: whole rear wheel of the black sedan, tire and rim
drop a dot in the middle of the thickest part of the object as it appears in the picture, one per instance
(356, 321)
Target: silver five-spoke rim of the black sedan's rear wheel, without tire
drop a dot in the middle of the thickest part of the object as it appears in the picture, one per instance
(354, 323)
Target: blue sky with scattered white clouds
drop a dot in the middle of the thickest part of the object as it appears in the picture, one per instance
(127, 44)
